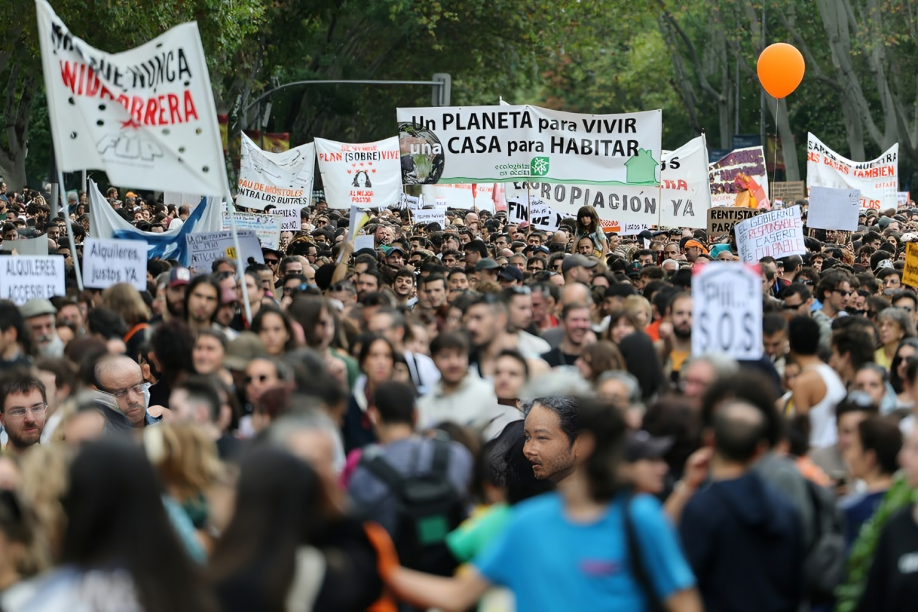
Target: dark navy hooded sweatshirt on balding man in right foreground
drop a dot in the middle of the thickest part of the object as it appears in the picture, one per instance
(742, 538)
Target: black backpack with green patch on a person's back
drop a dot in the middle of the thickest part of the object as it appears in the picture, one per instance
(429, 507)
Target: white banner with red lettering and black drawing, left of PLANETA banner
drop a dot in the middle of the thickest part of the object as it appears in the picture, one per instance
(366, 175)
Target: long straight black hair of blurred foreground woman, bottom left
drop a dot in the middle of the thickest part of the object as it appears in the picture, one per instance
(116, 515)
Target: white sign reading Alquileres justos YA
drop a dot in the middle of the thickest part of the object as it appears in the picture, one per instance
(109, 262)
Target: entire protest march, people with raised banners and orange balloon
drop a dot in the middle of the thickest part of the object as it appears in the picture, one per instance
(501, 357)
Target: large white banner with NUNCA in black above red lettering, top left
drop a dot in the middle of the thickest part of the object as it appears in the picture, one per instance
(146, 116)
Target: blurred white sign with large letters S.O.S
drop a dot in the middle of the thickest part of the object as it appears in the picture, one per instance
(727, 310)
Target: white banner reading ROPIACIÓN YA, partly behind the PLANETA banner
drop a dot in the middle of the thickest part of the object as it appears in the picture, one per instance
(682, 200)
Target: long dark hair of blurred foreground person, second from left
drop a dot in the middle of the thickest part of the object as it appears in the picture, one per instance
(280, 506)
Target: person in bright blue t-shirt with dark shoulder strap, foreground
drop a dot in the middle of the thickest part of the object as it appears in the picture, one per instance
(569, 550)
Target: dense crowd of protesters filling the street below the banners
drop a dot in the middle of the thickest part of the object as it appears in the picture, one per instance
(477, 414)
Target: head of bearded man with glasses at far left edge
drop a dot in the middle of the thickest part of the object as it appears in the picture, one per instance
(23, 406)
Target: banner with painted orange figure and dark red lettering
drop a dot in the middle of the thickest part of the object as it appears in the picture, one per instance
(740, 179)
